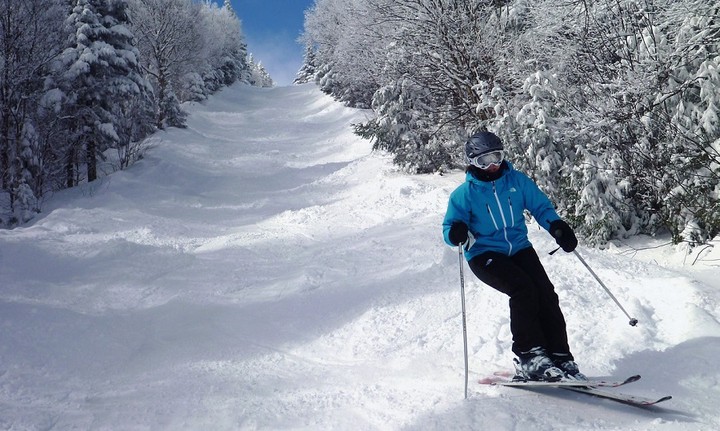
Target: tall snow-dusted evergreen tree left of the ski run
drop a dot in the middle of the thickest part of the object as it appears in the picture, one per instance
(102, 76)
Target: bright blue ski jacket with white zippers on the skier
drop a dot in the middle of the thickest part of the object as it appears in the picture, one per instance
(494, 212)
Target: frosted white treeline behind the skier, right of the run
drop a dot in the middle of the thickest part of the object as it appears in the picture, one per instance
(611, 105)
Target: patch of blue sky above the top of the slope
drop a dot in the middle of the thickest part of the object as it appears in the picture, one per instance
(271, 29)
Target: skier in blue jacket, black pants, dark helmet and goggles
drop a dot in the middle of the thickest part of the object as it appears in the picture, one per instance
(490, 206)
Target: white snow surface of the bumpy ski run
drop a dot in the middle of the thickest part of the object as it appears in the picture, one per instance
(264, 269)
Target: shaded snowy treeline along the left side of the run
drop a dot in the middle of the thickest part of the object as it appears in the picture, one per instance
(84, 79)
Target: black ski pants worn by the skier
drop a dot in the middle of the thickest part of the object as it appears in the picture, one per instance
(535, 316)
